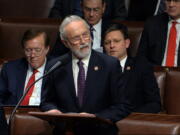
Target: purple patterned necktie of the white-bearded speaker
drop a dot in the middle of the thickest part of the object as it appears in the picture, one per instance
(81, 82)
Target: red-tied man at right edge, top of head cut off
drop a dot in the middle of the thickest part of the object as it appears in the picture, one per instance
(160, 39)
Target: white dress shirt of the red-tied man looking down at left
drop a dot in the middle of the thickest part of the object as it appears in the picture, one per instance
(35, 98)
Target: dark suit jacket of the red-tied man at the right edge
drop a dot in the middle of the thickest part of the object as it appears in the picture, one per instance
(153, 40)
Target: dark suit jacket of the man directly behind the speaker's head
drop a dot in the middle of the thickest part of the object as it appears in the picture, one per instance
(60, 49)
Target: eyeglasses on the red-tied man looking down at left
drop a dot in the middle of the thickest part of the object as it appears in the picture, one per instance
(36, 51)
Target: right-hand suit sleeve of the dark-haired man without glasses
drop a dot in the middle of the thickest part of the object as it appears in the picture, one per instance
(151, 91)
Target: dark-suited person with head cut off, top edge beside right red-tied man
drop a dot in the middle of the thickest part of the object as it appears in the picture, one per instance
(141, 10)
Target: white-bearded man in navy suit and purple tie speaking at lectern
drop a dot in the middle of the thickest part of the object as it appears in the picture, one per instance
(87, 84)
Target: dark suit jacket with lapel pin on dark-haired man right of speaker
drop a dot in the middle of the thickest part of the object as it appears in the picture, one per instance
(141, 84)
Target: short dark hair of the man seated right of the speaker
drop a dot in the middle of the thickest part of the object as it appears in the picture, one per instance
(118, 27)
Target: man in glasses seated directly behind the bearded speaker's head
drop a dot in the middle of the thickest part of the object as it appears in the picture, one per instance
(93, 11)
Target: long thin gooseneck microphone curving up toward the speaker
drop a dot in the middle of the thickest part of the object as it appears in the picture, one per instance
(60, 61)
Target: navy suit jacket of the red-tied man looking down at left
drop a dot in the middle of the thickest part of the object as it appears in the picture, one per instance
(12, 80)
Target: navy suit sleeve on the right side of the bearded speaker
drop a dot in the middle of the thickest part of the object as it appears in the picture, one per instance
(120, 105)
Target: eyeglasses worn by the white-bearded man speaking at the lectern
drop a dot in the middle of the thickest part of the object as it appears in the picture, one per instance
(77, 39)
